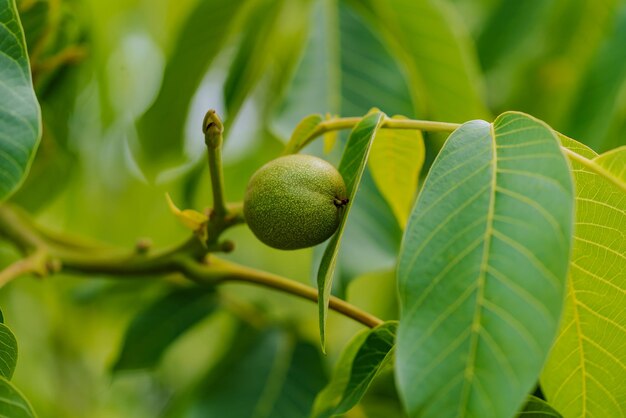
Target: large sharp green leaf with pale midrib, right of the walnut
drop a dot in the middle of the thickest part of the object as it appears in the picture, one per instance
(482, 270)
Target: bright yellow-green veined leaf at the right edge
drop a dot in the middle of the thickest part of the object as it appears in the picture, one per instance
(585, 375)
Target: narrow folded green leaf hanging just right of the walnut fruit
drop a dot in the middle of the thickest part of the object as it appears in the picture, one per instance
(351, 168)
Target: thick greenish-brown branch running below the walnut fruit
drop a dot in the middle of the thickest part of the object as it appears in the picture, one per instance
(188, 258)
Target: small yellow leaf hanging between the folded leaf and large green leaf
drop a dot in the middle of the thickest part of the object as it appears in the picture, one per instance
(395, 162)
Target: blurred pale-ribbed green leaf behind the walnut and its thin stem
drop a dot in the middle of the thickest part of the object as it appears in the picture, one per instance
(331, 78)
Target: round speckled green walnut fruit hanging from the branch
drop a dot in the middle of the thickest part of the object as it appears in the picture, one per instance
(295, 201)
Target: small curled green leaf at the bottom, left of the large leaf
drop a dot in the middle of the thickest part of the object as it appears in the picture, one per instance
(361, 361)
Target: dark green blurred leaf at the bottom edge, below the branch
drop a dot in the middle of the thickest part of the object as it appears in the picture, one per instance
(267, 374)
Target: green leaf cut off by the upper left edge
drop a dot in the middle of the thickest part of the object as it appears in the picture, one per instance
(20, 118)
